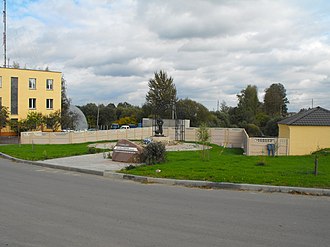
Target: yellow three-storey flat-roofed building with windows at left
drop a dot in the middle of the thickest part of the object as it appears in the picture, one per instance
(23, 91)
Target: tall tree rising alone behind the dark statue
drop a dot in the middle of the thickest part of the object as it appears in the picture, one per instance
(162, 94)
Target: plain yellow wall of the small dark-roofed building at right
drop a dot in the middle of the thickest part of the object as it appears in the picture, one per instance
(307, 139)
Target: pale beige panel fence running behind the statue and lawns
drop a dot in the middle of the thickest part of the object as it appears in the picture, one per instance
(228, 137)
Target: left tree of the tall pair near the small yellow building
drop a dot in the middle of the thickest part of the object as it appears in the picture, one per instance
(248, 104)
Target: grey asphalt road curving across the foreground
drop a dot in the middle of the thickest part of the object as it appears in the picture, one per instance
(44, 207)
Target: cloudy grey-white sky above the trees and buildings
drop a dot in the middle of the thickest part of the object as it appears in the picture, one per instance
(108, 50)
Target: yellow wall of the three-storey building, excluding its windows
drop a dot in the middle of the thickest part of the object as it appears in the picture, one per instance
(40, 93)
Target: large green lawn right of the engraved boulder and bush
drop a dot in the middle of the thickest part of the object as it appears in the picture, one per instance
(230, 165)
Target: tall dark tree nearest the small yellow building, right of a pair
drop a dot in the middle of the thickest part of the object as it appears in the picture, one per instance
(275, 101)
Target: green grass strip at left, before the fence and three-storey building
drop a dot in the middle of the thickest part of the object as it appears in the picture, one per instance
(43, 152)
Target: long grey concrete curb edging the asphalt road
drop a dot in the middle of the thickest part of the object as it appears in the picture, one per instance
(186, 183)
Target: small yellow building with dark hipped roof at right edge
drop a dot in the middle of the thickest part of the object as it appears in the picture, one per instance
(307, 131)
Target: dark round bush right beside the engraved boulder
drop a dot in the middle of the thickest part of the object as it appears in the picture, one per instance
(154, 153)
